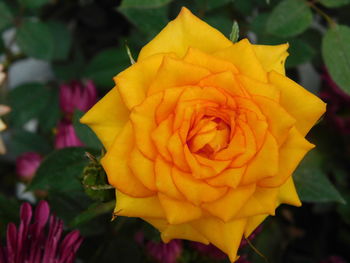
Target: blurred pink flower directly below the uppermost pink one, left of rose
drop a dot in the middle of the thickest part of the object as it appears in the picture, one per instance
(66, 135)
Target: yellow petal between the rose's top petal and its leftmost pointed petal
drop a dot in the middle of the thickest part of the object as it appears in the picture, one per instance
(133, 83)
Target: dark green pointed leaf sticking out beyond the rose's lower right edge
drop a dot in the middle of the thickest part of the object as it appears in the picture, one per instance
(312, 183)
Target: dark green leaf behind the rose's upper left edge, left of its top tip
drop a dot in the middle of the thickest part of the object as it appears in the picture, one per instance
(150, 21)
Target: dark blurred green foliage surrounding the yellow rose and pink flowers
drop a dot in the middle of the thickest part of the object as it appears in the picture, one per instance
(46, 43)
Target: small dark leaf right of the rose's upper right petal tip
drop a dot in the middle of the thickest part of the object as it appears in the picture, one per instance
(300, 52)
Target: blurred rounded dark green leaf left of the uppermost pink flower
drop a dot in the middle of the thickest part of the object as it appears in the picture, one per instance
(27, 101)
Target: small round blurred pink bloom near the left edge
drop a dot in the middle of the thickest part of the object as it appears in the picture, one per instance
(27, 164)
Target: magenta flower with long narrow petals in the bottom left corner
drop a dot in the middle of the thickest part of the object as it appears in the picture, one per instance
(40, 241)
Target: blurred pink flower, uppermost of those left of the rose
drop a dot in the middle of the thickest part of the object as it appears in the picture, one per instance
(76, 95)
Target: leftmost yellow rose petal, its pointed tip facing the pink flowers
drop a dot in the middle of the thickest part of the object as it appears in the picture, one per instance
(114, 113)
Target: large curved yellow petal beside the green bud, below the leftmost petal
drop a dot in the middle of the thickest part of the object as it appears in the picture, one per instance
(116, 166)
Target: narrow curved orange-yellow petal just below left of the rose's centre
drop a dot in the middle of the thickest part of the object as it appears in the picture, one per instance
(164, 180)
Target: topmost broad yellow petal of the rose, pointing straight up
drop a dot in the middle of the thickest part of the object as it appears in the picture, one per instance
(185, 31)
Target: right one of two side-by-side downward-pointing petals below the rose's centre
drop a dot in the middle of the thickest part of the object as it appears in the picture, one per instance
(227, 207)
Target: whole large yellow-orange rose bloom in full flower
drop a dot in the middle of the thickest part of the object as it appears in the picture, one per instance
(202, 134)
